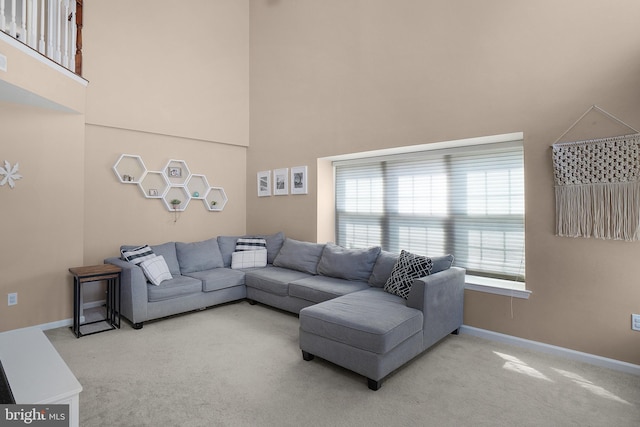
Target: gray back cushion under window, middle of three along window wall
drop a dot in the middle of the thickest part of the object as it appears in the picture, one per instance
(349, 264)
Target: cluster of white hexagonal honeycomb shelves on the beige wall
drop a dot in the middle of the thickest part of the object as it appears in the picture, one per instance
(174, 182)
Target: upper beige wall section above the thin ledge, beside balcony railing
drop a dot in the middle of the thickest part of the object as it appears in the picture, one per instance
(171, 68)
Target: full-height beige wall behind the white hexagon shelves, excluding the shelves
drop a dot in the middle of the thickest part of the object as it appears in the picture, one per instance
(167, 81)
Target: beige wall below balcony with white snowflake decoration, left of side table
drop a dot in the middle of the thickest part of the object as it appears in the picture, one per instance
(41, 223)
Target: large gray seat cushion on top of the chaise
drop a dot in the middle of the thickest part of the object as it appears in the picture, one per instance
(371, 320)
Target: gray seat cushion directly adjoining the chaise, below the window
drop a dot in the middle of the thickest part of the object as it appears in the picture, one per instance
(322, 288)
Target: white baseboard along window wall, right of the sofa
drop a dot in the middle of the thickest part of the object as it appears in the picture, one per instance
(605, 362)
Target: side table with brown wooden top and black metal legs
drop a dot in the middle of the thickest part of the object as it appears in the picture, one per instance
(93, 273)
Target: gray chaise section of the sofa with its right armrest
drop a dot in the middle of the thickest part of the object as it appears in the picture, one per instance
(373, 332)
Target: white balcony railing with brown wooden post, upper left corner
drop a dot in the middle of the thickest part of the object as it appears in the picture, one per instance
(52, 27)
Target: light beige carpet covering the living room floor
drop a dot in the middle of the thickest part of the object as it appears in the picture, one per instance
(239, 365)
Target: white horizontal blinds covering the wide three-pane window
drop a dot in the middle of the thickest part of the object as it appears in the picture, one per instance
(467, 201)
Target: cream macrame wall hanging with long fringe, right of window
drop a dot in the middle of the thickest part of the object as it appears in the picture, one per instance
(597, 185)
